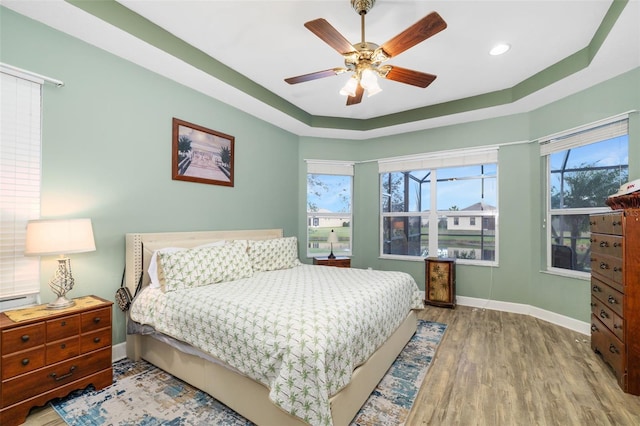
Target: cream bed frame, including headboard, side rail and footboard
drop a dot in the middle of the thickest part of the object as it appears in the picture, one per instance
(242, 394)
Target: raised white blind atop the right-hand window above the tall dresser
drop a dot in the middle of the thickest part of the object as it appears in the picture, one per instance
(609, 129)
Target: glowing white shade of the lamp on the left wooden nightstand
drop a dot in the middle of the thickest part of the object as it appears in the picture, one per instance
(59, 236)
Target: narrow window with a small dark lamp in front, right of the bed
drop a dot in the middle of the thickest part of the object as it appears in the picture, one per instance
(329, 194)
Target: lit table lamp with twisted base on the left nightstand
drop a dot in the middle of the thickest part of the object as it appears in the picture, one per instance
(59, 237)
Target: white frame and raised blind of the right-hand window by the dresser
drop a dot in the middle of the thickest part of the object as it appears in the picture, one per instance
(581, 136)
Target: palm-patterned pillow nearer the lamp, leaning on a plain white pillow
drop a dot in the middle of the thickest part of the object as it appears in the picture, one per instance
(188, 268)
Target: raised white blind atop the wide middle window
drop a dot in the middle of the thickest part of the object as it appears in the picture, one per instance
(436, 160)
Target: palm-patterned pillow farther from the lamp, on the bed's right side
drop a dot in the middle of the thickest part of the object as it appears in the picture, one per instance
(277, 253)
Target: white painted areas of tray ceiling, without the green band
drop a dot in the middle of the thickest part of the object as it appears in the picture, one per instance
(267, 42)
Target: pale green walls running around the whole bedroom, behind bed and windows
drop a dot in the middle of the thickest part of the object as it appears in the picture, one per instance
(106, 155)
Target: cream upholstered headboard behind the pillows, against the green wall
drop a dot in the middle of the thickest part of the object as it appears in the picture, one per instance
(140, 247)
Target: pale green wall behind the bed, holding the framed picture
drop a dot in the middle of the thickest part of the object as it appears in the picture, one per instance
(107, 155)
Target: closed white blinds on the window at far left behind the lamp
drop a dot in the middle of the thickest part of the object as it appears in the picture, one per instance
(20, 121)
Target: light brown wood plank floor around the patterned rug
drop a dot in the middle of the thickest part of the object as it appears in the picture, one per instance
(496, 368)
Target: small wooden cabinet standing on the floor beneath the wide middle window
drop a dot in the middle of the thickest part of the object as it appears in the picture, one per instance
(440, 282)
